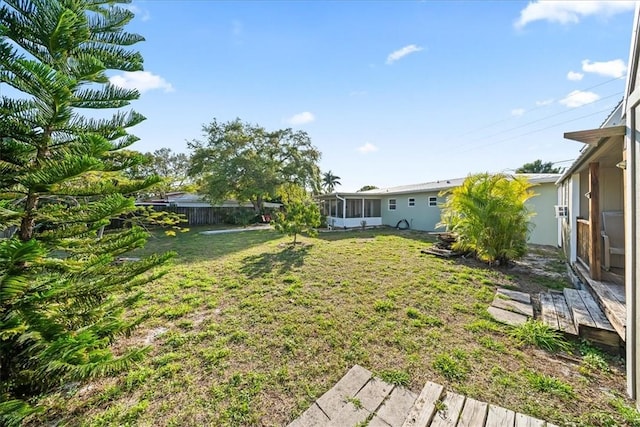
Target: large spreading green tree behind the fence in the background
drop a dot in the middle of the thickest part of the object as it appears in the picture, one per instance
(246, 162)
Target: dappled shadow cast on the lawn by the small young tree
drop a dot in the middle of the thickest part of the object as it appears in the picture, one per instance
(280, 262)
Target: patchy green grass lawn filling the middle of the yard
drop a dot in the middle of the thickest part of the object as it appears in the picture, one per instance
(256, 330)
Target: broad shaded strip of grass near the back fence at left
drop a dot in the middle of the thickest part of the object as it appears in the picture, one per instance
(193, 246)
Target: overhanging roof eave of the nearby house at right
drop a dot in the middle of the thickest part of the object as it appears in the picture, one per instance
(614, 125)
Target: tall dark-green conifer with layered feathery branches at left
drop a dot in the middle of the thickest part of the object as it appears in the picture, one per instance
(62, 291)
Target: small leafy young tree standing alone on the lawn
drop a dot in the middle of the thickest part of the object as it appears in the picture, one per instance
(300, 213)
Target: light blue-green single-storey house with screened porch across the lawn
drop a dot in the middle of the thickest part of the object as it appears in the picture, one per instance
(418, 207)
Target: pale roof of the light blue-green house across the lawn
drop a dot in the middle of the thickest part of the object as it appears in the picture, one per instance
(437, 186)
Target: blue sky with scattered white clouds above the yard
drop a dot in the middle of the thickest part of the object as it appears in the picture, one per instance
(392, 93)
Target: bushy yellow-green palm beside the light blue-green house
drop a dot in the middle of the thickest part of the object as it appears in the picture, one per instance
(488, 213)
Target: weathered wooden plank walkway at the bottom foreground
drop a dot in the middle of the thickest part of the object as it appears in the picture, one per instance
(360, 399)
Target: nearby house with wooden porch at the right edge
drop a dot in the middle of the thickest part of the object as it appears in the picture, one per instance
(603, 184)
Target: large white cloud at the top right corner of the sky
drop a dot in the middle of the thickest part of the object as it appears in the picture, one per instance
(569, 12)
